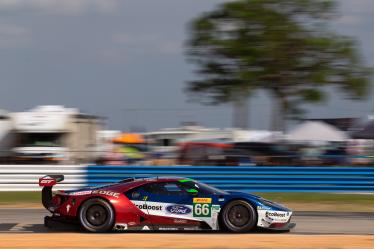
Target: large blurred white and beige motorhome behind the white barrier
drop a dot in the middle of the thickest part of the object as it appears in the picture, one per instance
(55, 134)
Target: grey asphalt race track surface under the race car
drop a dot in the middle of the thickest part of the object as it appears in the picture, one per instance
(20, 220)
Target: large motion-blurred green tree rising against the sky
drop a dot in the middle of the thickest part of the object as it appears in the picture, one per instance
(283, 47)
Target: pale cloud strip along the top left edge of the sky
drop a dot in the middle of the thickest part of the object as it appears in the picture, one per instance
(61, 6)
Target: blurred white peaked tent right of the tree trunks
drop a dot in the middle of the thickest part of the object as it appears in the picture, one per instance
(315, 131)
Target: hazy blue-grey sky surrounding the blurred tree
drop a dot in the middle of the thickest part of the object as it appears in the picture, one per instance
(125, 60)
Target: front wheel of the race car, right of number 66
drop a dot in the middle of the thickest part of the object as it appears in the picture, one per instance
(239, 216)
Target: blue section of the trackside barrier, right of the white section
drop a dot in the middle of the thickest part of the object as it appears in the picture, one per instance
(250, 179)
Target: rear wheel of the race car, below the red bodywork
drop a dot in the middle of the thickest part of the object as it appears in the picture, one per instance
(96, 215)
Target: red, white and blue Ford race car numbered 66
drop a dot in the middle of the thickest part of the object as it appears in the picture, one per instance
(161, 204)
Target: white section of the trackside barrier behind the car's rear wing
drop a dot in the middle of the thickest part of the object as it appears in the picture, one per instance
(25, 177)
